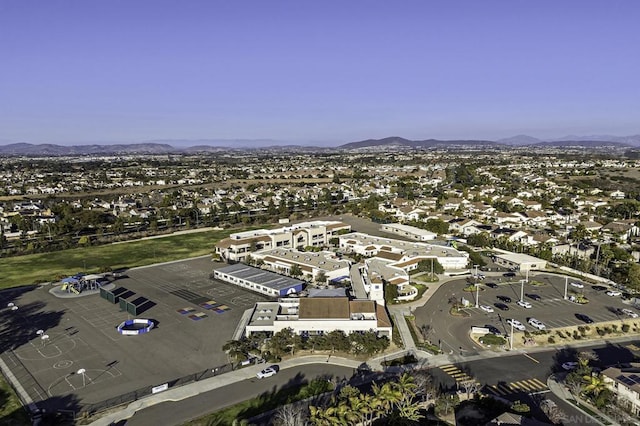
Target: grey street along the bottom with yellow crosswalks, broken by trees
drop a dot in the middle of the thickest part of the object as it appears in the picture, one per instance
(514, 377)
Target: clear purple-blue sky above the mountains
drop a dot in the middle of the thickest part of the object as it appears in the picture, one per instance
(316, 71)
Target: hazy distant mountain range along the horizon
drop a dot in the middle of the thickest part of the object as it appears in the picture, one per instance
(393, 142)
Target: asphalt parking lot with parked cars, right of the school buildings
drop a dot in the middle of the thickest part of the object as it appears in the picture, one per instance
(547, 305)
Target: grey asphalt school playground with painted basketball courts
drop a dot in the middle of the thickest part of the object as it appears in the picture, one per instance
(84, 360)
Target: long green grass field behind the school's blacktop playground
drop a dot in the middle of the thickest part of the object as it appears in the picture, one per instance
(44, 267)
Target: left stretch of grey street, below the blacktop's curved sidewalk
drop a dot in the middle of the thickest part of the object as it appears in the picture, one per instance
(178, 412)
